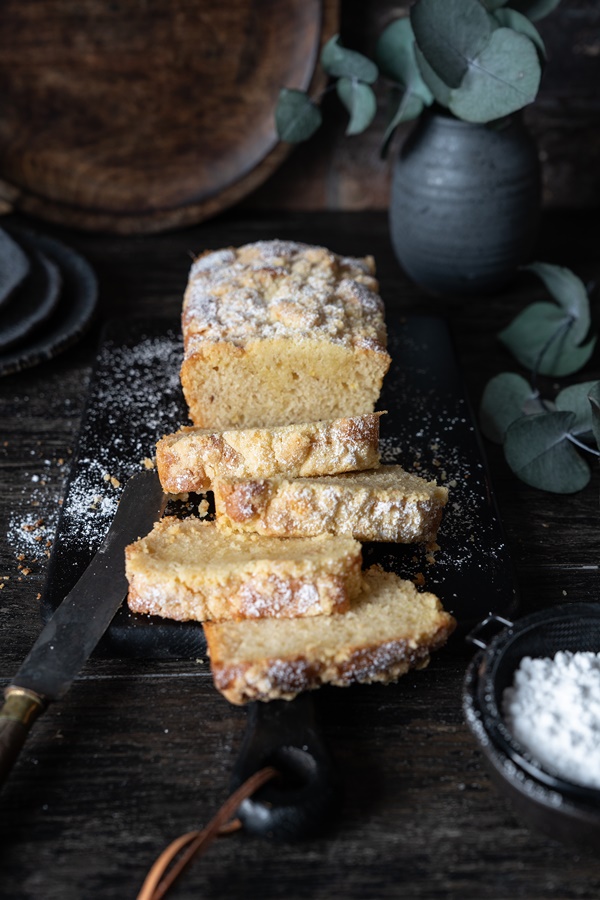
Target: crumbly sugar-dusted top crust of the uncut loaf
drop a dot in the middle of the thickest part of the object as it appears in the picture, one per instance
(282, 289)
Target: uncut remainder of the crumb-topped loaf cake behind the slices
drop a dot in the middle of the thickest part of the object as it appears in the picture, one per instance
(279, 332)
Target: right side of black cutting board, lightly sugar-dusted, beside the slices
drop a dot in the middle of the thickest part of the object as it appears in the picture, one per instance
(429, 430)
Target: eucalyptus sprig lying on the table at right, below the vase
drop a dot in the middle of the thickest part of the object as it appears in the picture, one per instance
(540, 437)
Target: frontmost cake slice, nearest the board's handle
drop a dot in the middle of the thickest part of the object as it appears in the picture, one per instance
(390, 628)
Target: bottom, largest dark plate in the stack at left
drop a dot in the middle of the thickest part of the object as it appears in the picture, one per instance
(72, 313)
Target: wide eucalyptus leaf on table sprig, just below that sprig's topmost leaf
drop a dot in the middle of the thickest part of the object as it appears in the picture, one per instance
(541, 338)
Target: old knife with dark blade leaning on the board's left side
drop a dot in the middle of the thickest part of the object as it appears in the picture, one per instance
(74, 630)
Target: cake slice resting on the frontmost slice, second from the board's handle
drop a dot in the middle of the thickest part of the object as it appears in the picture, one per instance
(188, 569)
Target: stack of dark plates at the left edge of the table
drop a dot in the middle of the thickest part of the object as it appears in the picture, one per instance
(47, 297)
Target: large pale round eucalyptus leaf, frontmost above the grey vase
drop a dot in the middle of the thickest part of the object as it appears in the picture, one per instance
(502, 78)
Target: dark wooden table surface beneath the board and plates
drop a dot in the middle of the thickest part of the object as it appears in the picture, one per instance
(141, 751)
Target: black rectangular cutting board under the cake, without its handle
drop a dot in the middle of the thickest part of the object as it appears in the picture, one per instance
(135, 398)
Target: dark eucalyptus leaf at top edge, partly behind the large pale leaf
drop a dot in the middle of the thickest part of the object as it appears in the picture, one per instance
(450, 33)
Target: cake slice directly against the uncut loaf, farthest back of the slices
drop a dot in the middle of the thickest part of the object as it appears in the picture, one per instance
(193, 458)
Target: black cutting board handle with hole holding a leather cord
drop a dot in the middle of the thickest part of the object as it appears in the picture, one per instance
(308, 795)
